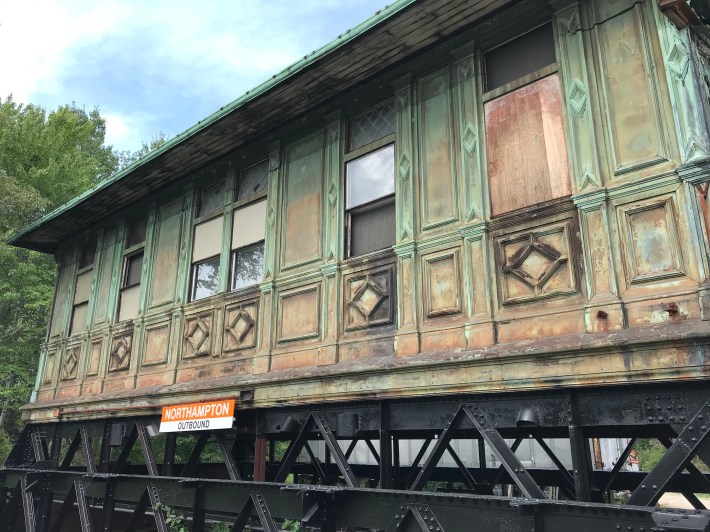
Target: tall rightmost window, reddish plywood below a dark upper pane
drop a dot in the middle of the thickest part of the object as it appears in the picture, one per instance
(527, 154)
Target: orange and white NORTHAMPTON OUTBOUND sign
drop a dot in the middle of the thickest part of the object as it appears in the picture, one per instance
(198, 416)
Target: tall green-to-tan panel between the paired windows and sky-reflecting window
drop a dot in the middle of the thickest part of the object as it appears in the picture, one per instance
(302, 201)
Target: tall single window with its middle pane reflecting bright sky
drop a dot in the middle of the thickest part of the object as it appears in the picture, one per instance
(369, 181)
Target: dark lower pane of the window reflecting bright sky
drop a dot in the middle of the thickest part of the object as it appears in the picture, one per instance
(372, 228)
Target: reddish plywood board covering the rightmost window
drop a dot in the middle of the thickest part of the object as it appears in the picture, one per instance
(527, 154)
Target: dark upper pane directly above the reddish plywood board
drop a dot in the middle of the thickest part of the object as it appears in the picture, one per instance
(520, 57)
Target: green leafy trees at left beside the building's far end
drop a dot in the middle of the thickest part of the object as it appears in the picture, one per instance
(45, 160)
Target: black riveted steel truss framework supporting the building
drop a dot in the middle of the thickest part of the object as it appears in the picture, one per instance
(264, 472)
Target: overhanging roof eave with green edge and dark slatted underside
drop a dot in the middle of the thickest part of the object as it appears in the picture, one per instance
(396, 32)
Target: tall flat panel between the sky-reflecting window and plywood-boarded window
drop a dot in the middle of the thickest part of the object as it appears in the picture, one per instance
(436, 141)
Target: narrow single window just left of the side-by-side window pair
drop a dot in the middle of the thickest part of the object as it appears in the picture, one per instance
(132, 270)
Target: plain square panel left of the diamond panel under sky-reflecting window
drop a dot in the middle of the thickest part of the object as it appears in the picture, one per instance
(299, 313)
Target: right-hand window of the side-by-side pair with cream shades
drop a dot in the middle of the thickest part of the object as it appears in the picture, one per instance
(249, 227)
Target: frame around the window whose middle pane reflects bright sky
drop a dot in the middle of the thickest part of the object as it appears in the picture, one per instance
(358, 153)
